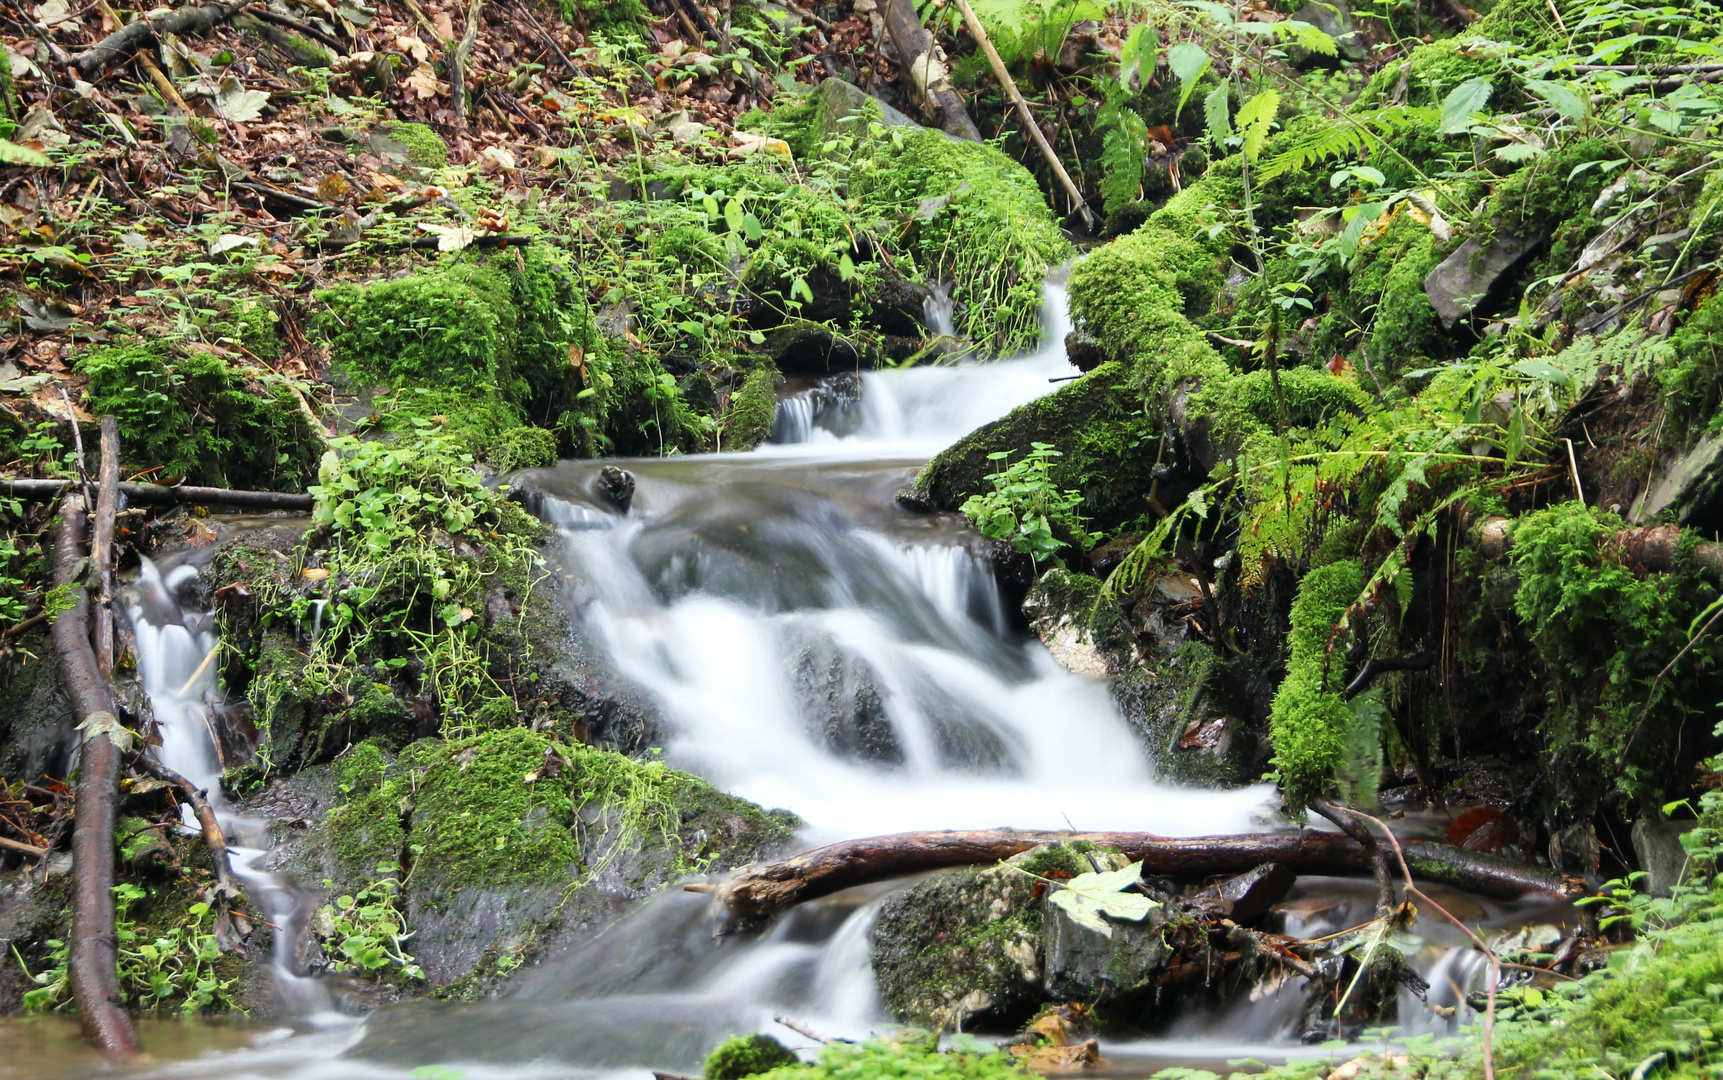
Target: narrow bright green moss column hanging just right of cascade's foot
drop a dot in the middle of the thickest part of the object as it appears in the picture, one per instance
(1310, 719)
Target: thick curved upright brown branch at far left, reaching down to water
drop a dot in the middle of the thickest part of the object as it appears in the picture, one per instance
(94, 953)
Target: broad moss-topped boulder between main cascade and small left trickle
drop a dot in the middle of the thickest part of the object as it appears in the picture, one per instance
(513, 836)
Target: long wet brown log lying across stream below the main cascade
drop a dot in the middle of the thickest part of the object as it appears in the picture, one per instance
(761, 893)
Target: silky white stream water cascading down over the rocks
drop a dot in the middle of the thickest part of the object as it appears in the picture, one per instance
(811, 645)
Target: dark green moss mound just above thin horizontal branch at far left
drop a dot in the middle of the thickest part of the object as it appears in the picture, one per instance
(196, 416)
